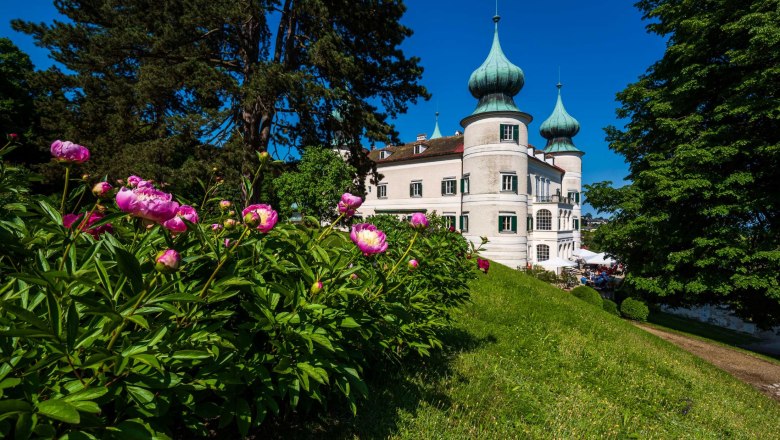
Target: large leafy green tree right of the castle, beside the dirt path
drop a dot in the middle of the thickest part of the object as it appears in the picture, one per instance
(700, 222)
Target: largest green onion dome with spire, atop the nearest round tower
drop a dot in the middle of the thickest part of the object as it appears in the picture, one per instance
(496, 81)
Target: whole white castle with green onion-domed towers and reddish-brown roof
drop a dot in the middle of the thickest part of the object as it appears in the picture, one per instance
(488, 181)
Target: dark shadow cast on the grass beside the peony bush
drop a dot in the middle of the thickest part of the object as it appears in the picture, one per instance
(395, 388)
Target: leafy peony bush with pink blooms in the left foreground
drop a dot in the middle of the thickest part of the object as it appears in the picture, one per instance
(133, 314)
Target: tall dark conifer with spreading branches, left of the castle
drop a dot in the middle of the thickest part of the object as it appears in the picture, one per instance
(152, 80)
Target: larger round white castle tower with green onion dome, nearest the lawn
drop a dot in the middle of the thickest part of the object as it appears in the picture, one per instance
(495, 160)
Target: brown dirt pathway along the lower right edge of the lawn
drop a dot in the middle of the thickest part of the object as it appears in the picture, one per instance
(757, 372)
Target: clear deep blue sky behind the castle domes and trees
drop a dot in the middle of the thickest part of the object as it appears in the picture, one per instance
(599, 47)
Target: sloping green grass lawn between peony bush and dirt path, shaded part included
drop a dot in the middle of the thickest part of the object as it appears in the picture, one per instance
(529, 360)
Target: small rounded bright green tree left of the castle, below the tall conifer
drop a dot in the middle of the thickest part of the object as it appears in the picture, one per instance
(316, 185)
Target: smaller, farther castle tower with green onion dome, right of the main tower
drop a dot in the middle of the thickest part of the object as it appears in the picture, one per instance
(559, 129)
